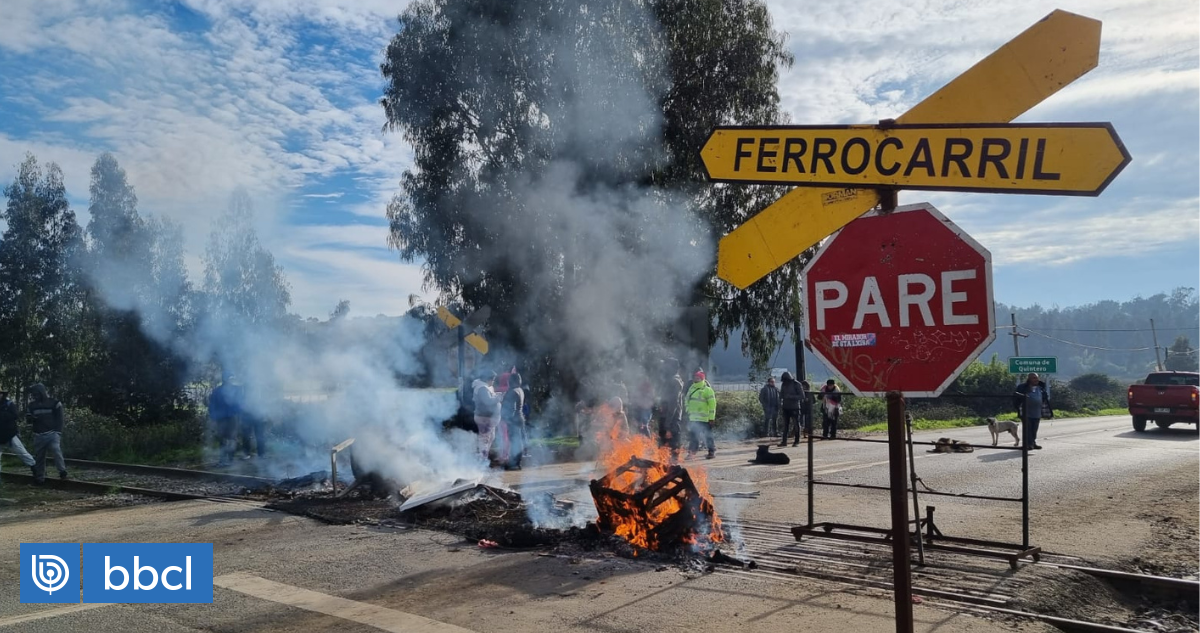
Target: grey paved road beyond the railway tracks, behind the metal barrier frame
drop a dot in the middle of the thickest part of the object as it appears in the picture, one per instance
(1093, 472)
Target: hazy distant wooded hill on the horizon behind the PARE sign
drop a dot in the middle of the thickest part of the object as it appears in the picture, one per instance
(1111, 337)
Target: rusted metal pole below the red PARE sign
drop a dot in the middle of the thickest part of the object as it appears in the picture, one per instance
(899, 483)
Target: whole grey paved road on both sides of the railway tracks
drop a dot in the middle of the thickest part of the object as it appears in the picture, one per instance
(284, 574)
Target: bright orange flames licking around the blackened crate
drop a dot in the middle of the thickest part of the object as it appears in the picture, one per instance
(617, 448)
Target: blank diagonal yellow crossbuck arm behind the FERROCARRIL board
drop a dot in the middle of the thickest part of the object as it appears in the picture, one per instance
(1036, 64)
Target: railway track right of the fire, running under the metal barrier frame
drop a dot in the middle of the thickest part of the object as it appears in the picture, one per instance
(950, 581)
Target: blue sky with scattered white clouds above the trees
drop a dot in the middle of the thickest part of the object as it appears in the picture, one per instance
(281, 97)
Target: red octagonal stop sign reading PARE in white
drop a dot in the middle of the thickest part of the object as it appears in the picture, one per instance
(899, 302)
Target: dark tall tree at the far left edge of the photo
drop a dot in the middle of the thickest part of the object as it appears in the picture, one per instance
(40, 298)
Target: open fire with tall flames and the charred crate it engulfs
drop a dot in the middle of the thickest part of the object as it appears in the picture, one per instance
(650, 502)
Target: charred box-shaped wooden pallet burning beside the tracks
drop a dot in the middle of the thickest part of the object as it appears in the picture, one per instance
(655, 507)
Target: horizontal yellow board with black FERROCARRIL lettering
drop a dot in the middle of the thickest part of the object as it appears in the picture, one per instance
(1053, 159)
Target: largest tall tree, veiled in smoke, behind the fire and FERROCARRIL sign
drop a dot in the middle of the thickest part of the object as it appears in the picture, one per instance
(557, 174)
